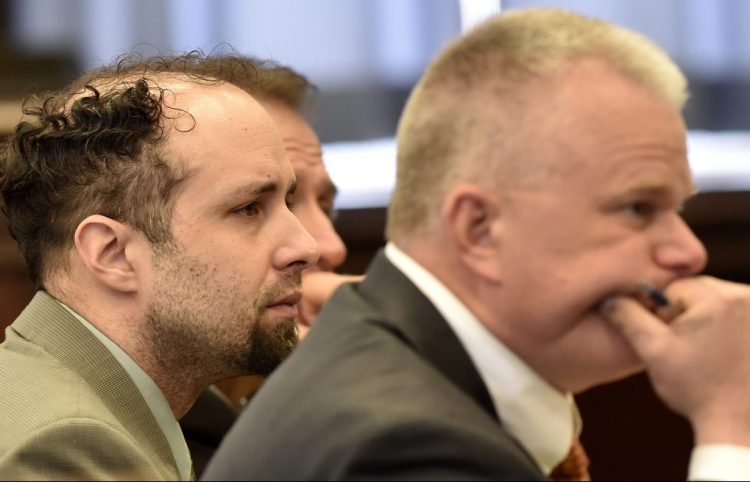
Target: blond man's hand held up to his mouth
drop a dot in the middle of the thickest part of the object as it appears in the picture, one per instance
(699, 362)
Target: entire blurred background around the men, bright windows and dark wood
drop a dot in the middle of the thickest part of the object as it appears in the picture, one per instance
(365, 56)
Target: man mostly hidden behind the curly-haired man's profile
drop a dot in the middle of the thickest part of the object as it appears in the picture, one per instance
(283, 93)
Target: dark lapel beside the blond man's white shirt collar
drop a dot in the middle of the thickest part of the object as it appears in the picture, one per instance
(412, 317)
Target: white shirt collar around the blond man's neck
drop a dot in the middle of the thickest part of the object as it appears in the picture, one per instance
(543, 419)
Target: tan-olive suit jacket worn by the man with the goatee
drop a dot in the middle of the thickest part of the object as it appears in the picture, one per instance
(68, 410)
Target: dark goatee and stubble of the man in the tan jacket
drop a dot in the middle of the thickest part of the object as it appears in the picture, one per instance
(186, 337)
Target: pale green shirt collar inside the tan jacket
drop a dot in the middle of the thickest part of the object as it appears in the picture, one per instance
(154, 398)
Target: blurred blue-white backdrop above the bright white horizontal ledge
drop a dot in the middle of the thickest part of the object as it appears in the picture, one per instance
(363, 54)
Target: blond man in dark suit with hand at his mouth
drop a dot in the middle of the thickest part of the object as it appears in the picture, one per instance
(534, 225)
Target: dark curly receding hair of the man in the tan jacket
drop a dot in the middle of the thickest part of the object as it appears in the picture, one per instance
(94, 148)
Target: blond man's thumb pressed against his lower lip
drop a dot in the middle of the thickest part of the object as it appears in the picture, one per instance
(645, 332)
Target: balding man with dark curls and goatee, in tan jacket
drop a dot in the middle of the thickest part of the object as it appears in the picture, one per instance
(151, 208)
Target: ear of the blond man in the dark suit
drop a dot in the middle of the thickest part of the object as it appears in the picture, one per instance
(472, 217)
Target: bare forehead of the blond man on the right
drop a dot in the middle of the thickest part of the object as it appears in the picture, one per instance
(590, 119)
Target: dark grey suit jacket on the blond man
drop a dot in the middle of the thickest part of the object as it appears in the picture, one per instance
(381, 389)
